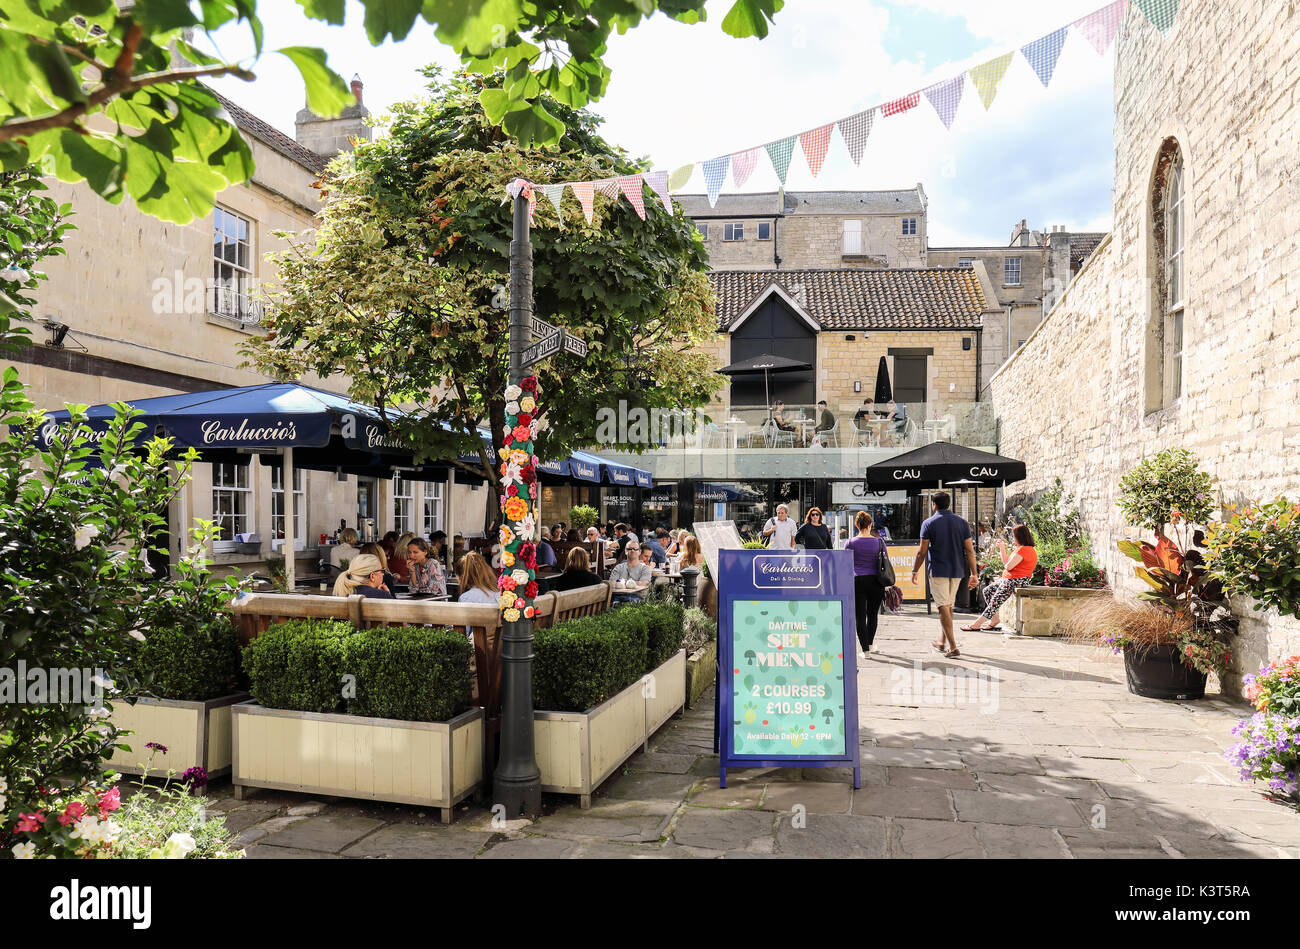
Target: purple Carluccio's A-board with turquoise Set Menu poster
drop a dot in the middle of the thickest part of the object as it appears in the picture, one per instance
(787, 661)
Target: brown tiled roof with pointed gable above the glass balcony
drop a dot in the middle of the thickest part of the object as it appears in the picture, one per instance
(864, 300)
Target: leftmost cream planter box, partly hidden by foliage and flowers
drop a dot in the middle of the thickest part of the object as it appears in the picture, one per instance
(194, 734)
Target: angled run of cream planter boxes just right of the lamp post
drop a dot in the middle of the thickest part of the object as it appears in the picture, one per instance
(578, 751)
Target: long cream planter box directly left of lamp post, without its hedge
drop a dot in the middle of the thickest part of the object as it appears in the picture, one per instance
(432, 764)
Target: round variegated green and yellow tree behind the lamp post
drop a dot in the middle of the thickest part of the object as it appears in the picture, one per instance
(404, 285)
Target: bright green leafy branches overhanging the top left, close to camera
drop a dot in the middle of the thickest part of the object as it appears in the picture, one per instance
(112, 94)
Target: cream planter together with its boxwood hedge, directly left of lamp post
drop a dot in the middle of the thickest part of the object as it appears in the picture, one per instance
(378, 714)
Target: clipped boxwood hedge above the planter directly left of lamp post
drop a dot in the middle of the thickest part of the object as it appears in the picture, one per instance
(413, 674)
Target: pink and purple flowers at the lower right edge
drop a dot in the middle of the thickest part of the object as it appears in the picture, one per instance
(1269, 749)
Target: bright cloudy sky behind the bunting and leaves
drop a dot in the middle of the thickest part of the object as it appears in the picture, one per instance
(682, 94)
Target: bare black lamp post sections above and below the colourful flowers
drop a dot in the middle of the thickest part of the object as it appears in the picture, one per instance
(518, 781)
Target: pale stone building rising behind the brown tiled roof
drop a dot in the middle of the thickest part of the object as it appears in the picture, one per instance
(813, 229)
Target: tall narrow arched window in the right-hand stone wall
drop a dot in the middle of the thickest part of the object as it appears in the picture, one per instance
(1169, 229)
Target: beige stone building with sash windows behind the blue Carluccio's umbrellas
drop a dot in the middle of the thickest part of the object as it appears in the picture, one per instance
(154, 309)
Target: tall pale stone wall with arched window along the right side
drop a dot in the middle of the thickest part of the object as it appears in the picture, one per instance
(1184, 327)
